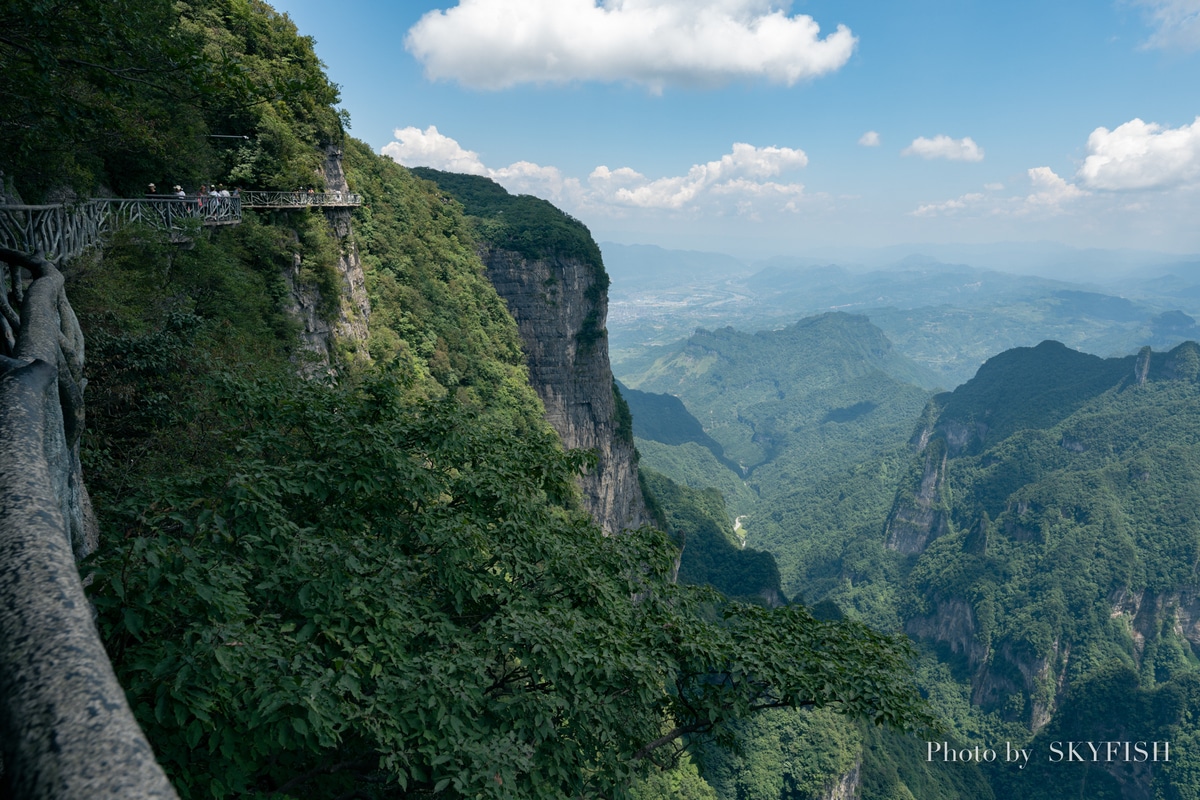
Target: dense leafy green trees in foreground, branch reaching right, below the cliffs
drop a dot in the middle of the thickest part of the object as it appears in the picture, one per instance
(392, 598)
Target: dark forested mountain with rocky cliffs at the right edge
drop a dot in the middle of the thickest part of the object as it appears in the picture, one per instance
(1051, 520)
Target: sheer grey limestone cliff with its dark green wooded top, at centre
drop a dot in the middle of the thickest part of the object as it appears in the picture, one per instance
(547, 267)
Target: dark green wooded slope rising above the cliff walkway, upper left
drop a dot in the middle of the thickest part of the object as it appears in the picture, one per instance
(119, 94)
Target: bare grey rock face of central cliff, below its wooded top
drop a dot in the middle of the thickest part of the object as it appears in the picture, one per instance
(561, 314)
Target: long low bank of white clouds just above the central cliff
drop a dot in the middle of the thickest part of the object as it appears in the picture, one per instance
(739, 181)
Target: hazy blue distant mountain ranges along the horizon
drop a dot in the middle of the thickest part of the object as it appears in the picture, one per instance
(949, 314)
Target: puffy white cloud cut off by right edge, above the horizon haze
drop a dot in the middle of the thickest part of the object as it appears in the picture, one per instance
(1142, 157)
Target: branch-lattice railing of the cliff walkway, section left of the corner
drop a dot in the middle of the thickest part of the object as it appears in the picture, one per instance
(65, 231)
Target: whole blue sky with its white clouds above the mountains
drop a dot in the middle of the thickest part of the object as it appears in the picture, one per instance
(746, 127)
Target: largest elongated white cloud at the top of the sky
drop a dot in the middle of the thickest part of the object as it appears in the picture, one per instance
(500, 44)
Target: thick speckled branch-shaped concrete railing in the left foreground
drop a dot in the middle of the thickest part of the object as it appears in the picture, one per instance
(67, 731)
